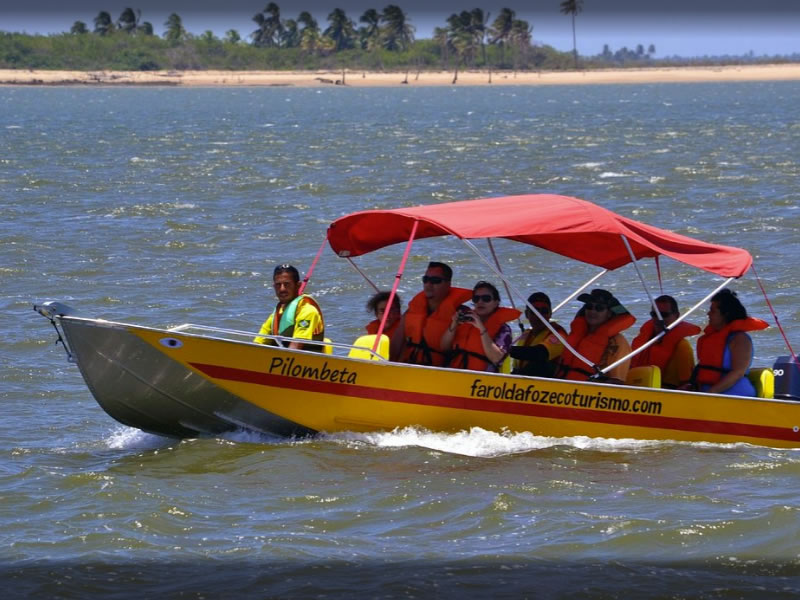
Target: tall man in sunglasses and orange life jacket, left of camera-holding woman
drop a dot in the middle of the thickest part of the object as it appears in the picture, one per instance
(417, 339)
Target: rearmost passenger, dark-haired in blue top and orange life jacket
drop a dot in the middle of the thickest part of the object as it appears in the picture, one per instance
(725, 350)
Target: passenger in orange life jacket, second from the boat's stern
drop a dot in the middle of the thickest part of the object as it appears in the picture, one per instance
(672, 353)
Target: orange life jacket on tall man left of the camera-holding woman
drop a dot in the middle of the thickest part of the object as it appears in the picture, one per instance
(423, 332)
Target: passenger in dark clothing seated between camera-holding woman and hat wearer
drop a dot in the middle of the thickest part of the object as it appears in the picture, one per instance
(536, 352)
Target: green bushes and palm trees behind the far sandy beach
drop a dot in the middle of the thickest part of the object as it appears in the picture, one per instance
(377, 41)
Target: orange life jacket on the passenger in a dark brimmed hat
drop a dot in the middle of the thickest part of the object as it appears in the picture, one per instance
(590, 345)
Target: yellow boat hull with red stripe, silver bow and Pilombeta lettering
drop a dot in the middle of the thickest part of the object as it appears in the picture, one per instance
(285, 391)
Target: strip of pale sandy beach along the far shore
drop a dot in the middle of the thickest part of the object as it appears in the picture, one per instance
(356, 78)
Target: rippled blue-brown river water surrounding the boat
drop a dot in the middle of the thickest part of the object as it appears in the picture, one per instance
(164, 206)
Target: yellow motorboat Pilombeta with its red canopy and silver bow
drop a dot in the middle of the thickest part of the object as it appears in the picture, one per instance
(194, 380)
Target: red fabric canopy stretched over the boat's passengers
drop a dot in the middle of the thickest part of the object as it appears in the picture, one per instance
(567, 226)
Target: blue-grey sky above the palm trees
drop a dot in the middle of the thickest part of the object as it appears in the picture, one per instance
(674, 27)
